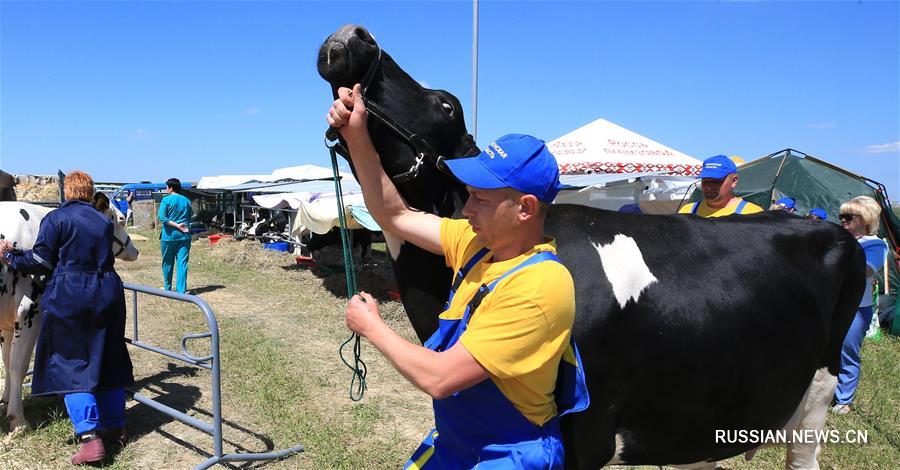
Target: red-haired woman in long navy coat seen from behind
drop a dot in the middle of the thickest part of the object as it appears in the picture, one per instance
(81, 349)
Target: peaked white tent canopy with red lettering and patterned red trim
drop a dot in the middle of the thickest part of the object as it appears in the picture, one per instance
(604, 147)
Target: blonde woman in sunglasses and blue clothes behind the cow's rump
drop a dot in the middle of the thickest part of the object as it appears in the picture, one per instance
(860, 216)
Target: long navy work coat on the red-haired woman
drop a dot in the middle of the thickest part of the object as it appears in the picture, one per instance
(81, 347)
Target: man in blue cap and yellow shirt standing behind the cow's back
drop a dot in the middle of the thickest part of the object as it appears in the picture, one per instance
(718, 179)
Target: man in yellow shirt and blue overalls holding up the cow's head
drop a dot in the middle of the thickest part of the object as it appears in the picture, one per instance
(492, 365)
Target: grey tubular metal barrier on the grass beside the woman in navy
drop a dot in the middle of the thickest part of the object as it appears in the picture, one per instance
(210, 362)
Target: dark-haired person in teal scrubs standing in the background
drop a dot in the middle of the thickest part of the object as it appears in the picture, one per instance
(175, 239)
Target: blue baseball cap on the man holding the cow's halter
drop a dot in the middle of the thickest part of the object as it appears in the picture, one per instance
(516, 161)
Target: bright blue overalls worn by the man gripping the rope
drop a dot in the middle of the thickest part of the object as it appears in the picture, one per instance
(479, 425)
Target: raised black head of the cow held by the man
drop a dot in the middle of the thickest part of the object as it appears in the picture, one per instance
(351, 55)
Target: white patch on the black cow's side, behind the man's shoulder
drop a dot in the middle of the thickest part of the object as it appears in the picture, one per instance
(625, 268)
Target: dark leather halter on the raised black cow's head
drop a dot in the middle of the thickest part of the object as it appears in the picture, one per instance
(423, 150)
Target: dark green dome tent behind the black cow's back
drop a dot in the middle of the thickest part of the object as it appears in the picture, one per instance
(816, 183)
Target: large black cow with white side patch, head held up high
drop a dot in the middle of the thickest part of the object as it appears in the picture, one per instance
(686, 325)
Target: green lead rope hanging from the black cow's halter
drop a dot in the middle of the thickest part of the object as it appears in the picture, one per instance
(358, 367)
